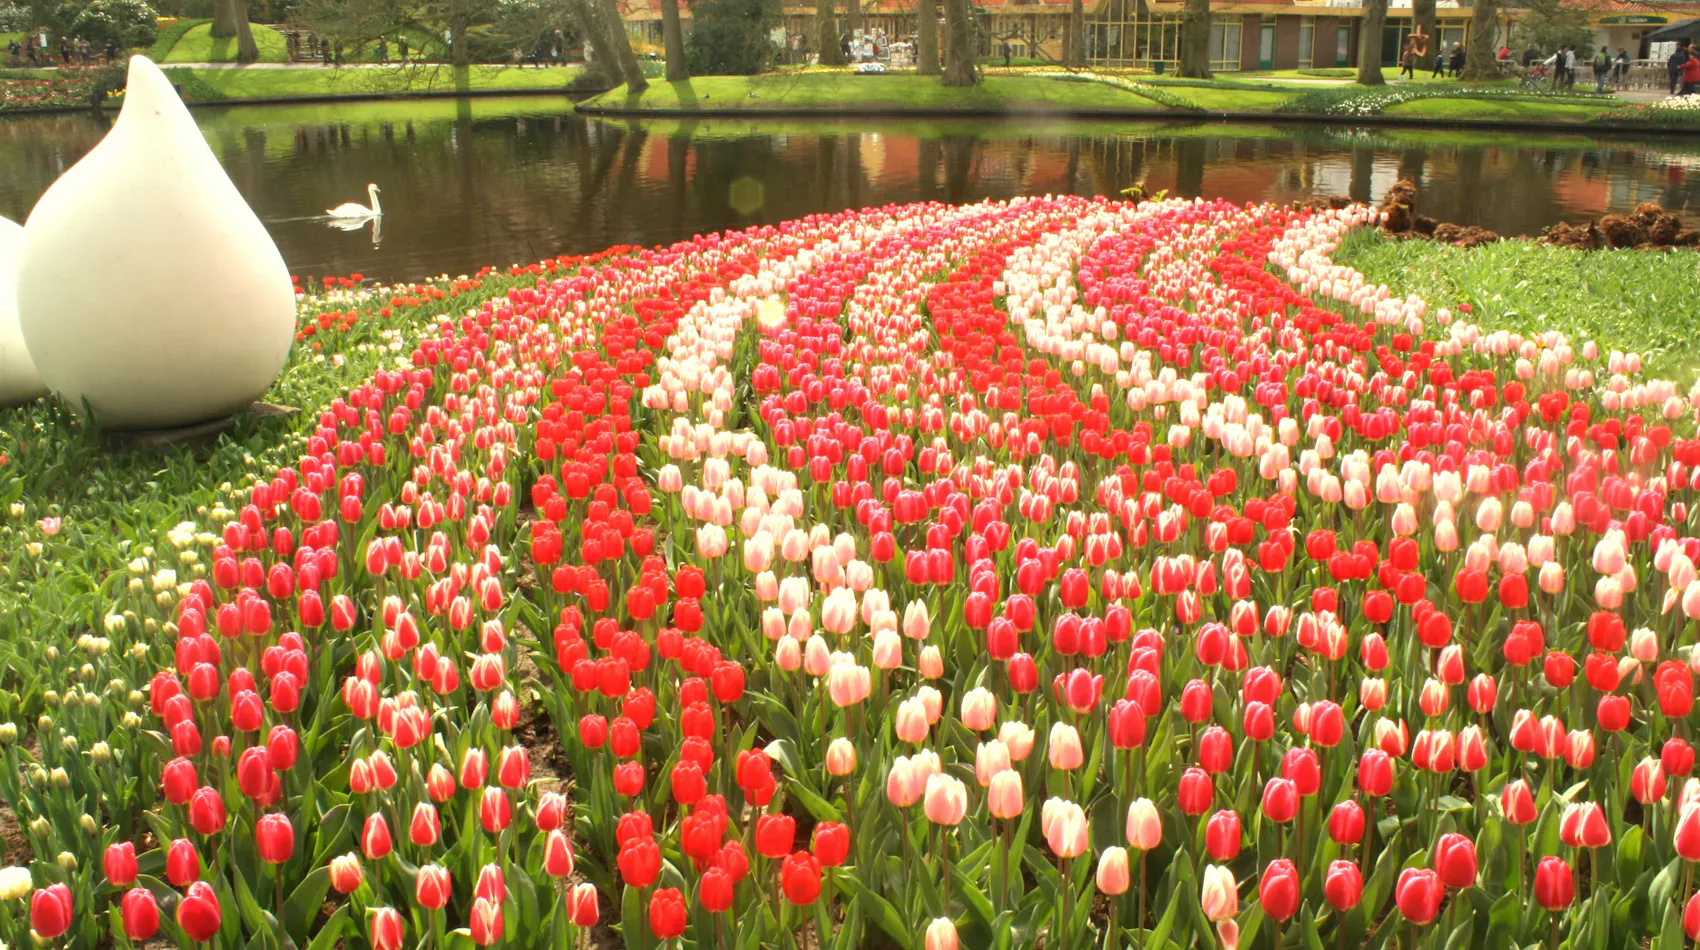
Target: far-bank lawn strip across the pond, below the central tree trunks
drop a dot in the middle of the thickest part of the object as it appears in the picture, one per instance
(853, 93)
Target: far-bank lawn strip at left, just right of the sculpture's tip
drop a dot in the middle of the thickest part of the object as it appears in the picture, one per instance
(397, 81)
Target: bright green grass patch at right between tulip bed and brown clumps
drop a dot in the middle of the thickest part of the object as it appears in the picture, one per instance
(1621, 298)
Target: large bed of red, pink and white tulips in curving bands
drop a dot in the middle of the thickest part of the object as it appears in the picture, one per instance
(1051, 574)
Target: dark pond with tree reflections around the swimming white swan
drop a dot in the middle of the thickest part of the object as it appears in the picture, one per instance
(504, 181)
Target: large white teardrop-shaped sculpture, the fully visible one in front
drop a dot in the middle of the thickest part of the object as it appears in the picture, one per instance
(147, 286)
